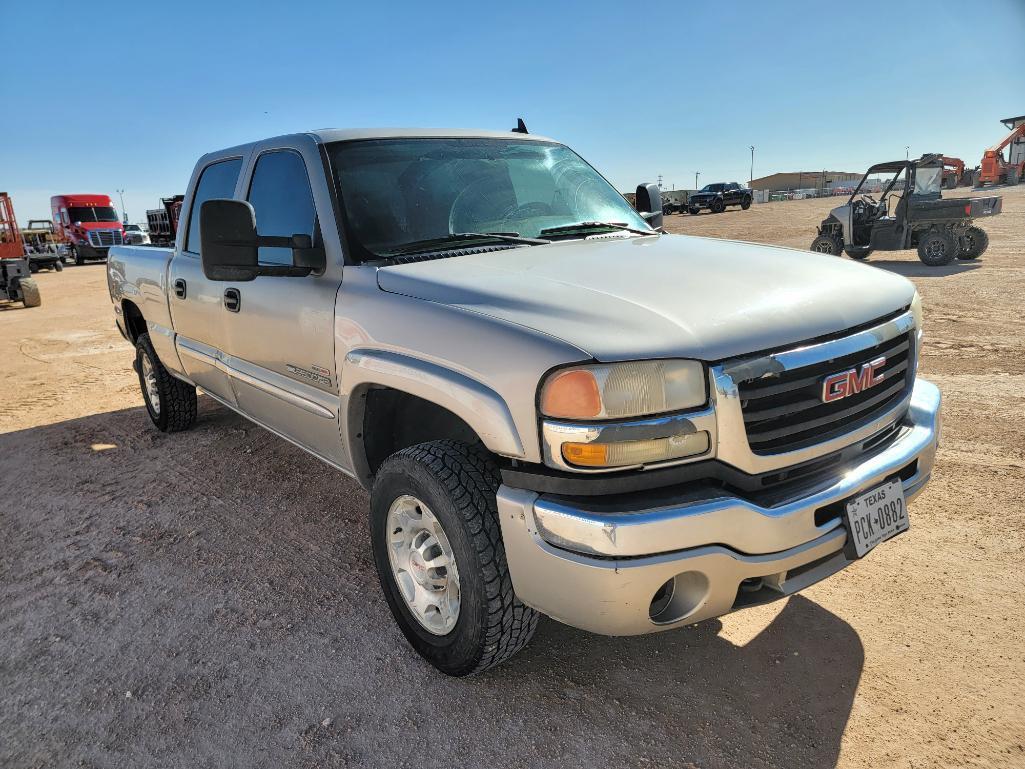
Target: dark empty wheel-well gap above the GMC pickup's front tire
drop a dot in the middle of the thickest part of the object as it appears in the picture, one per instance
(394, 421)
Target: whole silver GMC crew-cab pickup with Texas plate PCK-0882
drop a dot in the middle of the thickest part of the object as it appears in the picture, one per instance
(558, 410)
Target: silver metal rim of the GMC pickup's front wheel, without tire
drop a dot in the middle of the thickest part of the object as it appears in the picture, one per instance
(424, 565)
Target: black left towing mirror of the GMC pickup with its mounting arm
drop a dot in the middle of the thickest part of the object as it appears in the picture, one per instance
(230, 246)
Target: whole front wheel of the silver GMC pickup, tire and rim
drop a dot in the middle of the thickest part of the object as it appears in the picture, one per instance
(439, 552)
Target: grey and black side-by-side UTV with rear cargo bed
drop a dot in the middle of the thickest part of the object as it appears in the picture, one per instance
(910, 214)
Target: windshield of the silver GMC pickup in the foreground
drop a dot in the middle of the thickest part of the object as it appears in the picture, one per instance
(403, 191)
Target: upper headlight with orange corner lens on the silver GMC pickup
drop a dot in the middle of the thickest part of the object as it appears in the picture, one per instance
(625, 390)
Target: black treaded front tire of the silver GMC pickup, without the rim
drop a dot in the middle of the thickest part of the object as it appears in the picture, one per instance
(459, 483)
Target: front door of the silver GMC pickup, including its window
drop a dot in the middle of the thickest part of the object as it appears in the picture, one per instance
(280, 340)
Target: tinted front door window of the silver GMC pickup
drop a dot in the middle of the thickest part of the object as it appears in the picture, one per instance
(283, 203)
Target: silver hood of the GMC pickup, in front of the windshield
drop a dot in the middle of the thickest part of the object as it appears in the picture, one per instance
(664, 297)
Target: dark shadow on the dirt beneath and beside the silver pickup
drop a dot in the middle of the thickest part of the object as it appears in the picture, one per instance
(231, 574)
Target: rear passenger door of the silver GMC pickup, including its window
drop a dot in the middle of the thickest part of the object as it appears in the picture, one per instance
(196, 302)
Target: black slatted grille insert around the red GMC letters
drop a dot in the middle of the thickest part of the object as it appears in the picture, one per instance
(786, 413)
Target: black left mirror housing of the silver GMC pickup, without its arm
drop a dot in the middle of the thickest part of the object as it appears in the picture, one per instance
(229, 245)
